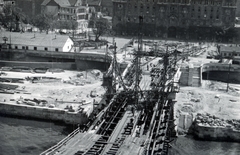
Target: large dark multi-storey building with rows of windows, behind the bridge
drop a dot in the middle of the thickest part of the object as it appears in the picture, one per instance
(200, 19)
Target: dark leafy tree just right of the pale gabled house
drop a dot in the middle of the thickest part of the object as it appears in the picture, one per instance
(100, 27)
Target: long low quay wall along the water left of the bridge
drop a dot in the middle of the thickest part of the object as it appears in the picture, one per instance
(43, 113)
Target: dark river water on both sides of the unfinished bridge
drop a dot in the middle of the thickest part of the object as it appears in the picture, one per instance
(30, 137)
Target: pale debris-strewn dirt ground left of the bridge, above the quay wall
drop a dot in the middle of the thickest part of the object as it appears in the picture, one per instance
(70, 88)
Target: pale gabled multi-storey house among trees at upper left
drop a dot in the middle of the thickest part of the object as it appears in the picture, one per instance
(70, 10)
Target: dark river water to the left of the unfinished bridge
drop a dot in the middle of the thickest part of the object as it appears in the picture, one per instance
(29, 137)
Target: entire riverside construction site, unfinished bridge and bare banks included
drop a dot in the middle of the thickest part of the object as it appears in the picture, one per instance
(159, 95)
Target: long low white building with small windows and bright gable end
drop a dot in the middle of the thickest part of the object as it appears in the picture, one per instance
(38, 41)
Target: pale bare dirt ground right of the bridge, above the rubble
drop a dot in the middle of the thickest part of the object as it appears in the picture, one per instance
(211, 98)
